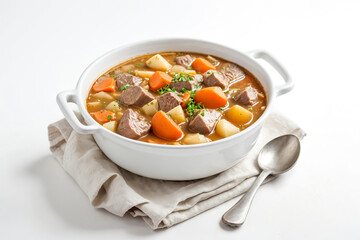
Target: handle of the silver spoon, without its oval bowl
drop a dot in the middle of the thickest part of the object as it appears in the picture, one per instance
(236, 215)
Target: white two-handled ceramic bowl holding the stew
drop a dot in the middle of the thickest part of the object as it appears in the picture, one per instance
(172, 162)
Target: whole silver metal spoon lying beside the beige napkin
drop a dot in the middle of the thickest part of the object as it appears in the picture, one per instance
(276, 157)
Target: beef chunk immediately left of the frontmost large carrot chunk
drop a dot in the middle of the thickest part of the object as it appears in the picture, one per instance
(133, 125)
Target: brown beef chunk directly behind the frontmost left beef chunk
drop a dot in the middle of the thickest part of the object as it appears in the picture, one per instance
(135, 96)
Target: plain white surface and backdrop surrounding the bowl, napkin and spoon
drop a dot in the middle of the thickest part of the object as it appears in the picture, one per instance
(44, 46)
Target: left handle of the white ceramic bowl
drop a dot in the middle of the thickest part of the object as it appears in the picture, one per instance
(63, 100)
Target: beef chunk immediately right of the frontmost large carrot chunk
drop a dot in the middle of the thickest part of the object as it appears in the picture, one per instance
(204, 124)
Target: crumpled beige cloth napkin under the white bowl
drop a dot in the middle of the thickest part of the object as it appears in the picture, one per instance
(160, 203)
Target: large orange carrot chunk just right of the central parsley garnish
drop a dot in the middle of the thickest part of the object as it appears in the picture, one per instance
(211, 97)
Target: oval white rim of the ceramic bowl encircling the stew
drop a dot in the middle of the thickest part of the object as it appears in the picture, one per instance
(87, 116)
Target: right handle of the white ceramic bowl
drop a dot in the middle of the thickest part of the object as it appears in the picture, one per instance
(280, 89)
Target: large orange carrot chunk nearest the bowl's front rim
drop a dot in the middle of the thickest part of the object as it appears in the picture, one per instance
(164, 127)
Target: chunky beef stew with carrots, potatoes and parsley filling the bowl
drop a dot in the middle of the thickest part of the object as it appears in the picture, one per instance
(176, 98)
